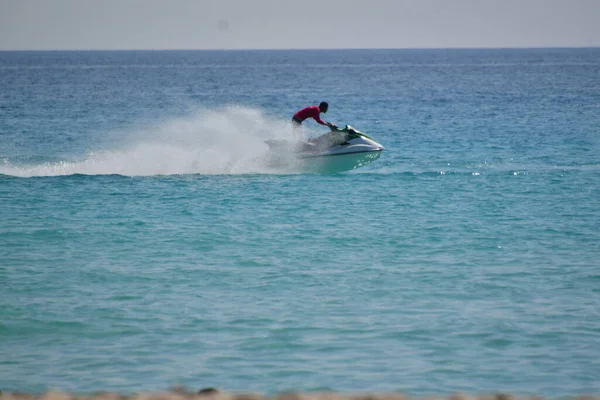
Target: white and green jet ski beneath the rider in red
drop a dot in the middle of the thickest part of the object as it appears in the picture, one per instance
(342, 149)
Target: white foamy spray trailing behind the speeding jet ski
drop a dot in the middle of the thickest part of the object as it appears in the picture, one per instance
(228, 140)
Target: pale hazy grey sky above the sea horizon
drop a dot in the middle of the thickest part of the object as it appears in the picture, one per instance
(277, 24)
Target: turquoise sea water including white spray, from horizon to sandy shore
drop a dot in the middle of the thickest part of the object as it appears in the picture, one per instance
(143, 244)
